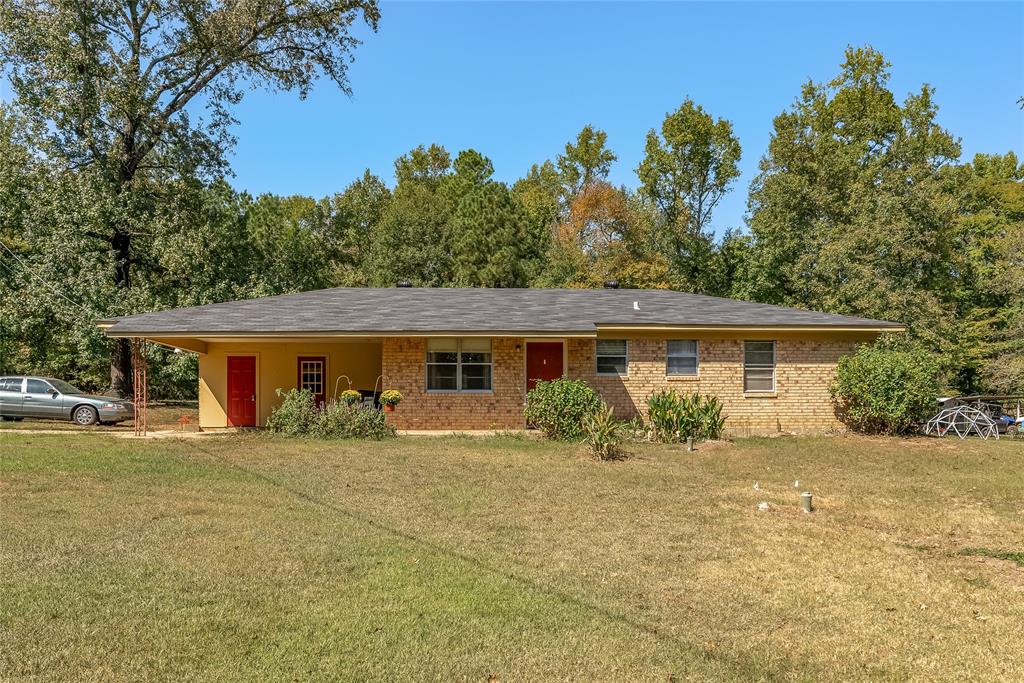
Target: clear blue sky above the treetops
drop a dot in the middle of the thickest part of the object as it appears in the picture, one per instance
(517, 80)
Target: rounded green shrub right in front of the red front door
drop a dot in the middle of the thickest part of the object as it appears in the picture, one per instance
(560, 408)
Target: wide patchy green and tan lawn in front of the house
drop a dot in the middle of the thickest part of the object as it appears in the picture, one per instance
(247, 558)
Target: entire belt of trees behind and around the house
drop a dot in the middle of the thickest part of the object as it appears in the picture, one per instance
(862, 205)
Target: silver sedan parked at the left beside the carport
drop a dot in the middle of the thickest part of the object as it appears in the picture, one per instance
(51, 399)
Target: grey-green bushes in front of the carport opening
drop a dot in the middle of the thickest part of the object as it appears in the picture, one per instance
(300, 416)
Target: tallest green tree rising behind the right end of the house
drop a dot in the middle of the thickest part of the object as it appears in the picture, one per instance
(851, 211)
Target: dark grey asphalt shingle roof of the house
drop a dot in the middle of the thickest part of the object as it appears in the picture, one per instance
(358, 311)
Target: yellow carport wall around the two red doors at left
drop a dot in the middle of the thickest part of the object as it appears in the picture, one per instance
(277, 368)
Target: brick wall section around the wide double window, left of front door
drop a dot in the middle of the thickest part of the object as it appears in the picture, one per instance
(405, 369)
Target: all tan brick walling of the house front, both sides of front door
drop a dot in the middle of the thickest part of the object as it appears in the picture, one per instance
(801, 403)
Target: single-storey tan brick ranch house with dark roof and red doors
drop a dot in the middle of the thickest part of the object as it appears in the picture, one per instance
(464, 359)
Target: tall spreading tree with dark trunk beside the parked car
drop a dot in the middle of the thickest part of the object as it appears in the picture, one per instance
(109, 91)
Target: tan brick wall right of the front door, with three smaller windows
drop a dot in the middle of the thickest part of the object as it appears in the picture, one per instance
(803, 372)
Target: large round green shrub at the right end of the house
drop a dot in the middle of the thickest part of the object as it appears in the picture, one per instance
(886, 391)
